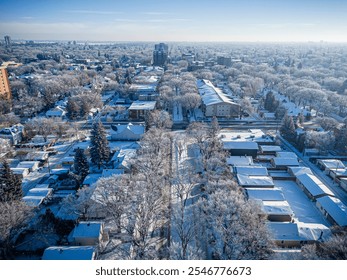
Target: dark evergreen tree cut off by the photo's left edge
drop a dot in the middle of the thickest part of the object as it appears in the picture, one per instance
(10, 184)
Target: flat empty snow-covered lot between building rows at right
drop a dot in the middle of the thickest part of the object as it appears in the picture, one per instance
(304, 209)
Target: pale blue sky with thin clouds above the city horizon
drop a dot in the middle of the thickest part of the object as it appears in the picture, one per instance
(175, 20)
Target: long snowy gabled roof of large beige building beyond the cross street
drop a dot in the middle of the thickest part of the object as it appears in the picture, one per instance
(211, 95)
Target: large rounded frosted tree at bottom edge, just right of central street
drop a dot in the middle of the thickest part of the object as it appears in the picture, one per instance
(239, 231)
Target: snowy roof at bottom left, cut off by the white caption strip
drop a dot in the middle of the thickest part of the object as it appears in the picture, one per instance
(69, 253)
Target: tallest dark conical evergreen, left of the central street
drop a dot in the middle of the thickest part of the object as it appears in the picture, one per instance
(99, 151)
